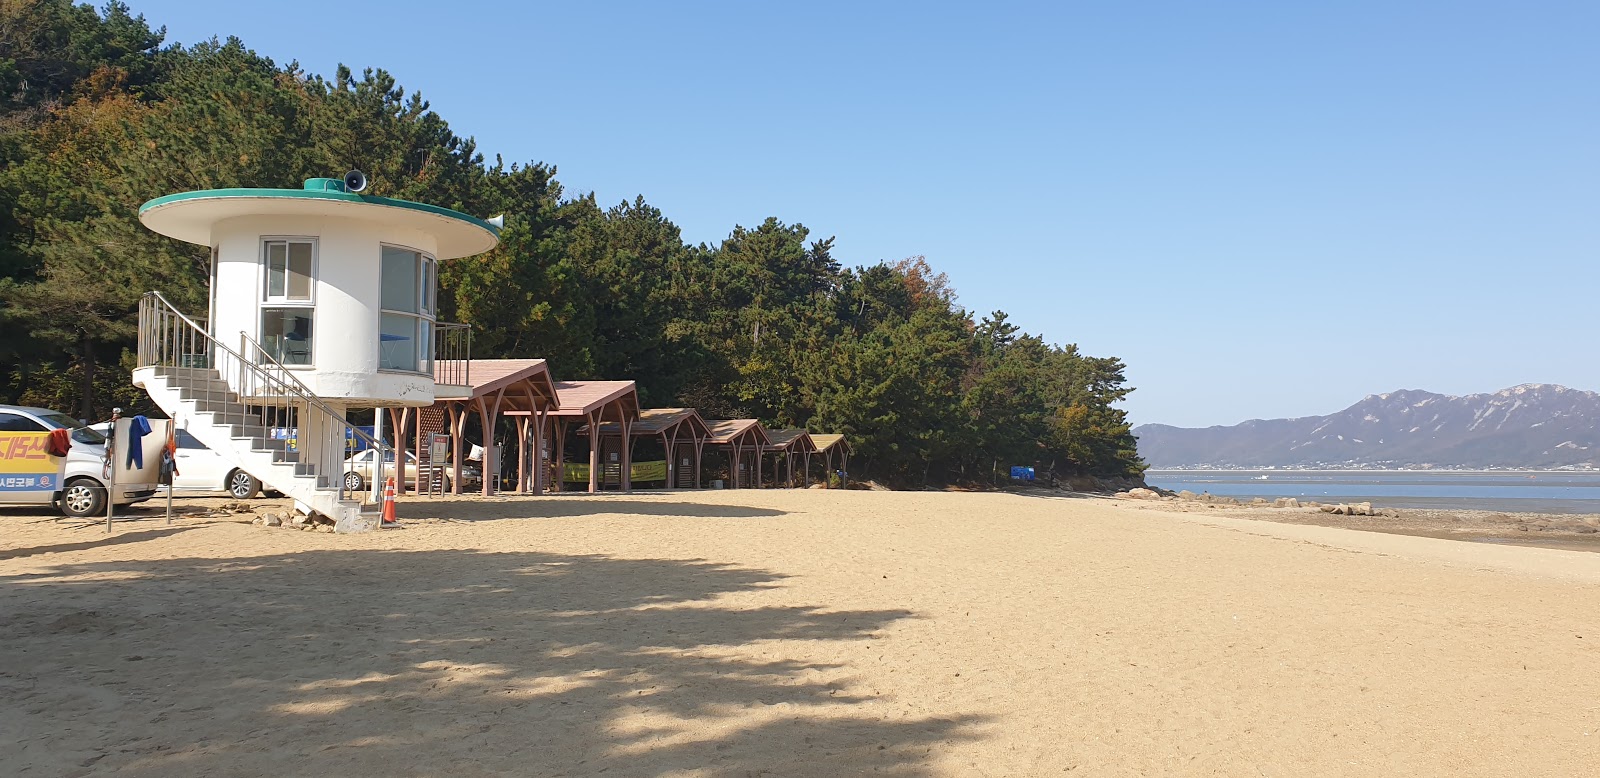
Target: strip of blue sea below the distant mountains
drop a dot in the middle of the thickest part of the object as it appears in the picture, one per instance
(1551, 492)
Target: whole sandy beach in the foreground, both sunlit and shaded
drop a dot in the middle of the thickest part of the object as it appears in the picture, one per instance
(791, 633)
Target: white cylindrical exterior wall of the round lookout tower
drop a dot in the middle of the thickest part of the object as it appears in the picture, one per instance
(346, 300)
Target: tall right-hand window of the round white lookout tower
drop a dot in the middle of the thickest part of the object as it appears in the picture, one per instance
(407, 323)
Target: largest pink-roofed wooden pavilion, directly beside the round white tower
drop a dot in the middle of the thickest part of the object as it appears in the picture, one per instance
(494, 388)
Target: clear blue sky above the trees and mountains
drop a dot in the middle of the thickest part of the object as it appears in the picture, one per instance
(1263, 209)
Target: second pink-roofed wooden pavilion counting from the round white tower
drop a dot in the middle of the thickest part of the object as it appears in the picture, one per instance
(590, 406)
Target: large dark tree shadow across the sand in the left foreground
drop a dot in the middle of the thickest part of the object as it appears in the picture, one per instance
(436, 662)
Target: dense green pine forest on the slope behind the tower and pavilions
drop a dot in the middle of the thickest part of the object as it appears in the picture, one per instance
(100, 114)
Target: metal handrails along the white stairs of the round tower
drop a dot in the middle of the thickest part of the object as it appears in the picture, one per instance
(271, 395)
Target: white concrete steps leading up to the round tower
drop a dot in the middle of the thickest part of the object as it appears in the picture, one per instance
(214, 414)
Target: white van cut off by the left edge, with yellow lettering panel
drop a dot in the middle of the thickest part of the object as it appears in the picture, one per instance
(82, 487)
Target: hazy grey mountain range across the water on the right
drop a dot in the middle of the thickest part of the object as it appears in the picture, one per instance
(1524, 427)
